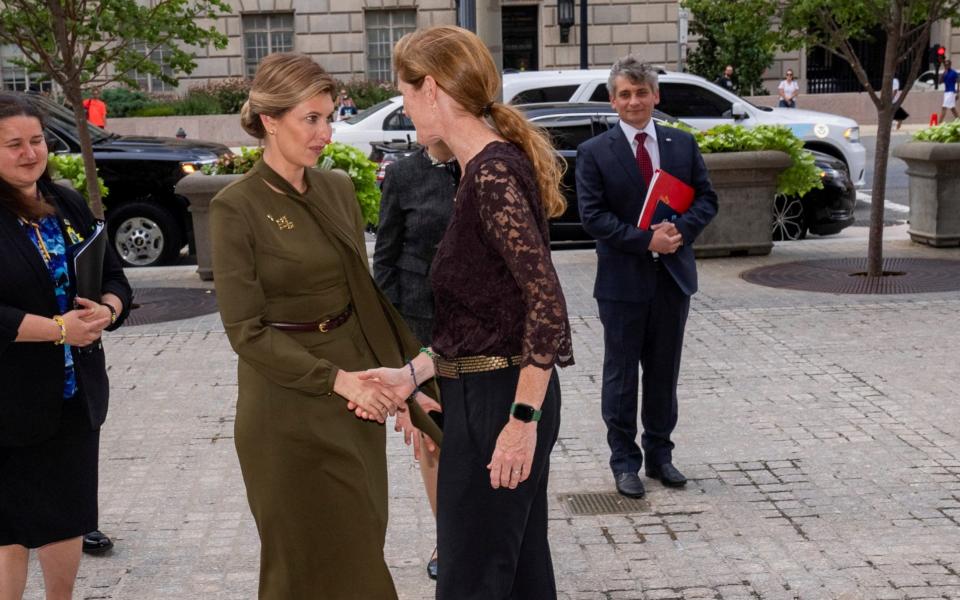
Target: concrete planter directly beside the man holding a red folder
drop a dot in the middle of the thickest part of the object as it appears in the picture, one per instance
(746, 183)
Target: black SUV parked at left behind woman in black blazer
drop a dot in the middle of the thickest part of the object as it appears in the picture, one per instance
(148, 223)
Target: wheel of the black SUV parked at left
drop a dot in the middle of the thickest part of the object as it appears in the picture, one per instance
(144, 234)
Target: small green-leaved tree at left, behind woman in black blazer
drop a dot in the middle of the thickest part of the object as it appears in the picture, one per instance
(77, 42)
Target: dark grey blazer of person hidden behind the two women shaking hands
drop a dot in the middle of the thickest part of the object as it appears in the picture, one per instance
(415, 209)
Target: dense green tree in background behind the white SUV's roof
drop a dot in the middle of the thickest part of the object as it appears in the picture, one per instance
(733, 32)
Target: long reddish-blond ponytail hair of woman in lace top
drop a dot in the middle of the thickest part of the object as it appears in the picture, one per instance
(462, 66)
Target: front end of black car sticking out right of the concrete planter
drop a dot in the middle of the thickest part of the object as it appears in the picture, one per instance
(822, 212)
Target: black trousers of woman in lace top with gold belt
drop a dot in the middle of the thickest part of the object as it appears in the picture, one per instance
(492, 543)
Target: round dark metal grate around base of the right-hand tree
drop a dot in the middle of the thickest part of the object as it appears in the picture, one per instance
(846, 276)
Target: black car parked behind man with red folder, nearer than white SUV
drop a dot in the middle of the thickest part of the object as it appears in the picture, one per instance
(822, 212)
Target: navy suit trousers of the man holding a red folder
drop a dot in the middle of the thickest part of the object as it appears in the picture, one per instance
(648, 335)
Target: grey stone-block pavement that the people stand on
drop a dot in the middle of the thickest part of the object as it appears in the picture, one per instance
(821, 433)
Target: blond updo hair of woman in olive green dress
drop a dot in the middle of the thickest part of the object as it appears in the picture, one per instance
(283, 80)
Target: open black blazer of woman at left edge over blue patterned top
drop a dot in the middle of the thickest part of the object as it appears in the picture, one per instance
(31, 373)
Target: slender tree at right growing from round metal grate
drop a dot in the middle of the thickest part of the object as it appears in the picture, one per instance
(831, 25)
